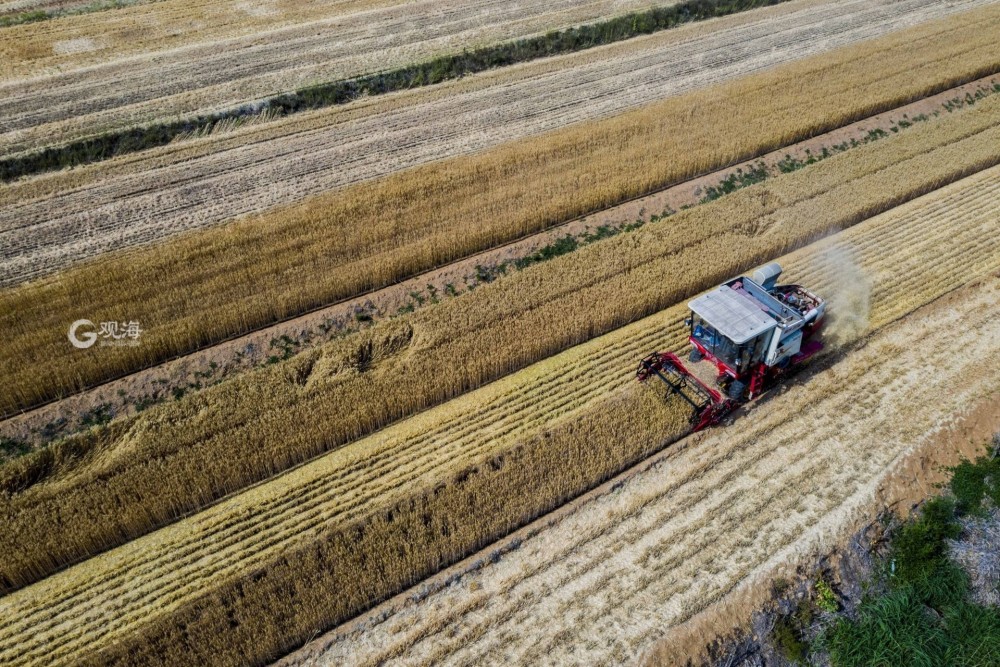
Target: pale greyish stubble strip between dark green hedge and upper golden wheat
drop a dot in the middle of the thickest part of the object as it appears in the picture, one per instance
(41, 235)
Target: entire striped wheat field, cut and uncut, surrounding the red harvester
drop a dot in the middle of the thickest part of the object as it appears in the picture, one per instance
(476, 479)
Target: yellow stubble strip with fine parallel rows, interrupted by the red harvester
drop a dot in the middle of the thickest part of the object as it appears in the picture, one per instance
(117, 592)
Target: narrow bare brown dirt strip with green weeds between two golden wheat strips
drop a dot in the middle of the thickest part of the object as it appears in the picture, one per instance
(123, 393)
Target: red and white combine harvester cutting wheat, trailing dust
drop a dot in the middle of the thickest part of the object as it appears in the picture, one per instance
(748, 333)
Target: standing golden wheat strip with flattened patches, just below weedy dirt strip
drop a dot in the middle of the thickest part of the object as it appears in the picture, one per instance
(98, 490)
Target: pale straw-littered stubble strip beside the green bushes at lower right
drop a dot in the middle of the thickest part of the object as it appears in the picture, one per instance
(784, 480)
